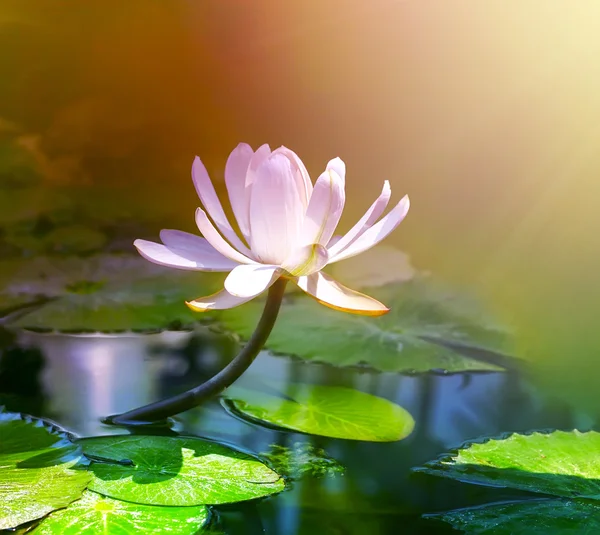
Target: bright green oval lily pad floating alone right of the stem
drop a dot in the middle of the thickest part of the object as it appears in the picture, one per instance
(324, 410)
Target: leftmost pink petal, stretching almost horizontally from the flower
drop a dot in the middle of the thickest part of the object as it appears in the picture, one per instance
(183, 259)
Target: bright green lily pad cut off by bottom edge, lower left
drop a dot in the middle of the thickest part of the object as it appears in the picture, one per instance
(94, 514)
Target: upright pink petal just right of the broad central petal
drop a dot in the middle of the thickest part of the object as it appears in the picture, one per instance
(324, 209)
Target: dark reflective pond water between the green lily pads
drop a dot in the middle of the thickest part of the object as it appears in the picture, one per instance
(334, 486)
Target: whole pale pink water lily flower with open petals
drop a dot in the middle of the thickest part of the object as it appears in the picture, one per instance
(287, 230)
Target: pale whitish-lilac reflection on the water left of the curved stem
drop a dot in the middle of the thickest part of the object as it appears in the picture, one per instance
(90, 377)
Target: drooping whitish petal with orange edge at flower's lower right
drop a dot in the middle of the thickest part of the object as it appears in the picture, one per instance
(334, 295)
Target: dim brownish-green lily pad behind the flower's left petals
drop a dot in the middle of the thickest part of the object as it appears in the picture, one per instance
(104, 293)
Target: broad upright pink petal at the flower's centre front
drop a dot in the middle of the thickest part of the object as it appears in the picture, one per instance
(276, 211)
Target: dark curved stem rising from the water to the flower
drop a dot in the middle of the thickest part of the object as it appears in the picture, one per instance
(160, 410)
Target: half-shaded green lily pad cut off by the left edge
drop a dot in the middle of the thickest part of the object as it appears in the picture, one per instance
(40, 469)
